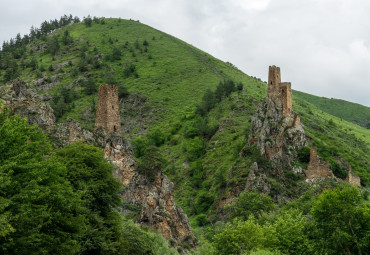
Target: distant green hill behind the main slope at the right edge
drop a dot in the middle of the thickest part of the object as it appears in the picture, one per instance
(349, 111)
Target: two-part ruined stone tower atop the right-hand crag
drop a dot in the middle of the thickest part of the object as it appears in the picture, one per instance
(281, 92)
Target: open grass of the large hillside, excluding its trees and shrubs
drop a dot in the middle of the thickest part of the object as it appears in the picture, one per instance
(174, 80)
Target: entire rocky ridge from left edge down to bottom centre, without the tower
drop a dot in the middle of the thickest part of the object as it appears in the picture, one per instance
(156, 198)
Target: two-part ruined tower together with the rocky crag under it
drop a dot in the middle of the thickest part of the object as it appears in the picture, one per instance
(276, 129)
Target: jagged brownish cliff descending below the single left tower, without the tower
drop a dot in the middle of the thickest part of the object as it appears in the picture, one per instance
(156, 198)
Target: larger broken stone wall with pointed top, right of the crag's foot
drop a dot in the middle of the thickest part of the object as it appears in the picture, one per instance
(316, 168)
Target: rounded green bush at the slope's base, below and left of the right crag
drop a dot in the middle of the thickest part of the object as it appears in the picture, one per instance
(250, 203)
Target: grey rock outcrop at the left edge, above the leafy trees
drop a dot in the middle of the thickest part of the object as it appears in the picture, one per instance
(28, 104)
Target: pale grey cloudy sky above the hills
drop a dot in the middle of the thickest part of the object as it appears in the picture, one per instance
(322, 46)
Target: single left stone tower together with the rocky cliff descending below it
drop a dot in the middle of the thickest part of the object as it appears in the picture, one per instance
(156, 199)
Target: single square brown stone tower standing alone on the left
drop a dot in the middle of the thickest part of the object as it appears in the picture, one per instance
(107, 112)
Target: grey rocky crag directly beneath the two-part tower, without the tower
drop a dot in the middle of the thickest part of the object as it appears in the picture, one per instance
(277, 135)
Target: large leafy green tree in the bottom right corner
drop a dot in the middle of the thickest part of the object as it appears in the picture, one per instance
(341, 222)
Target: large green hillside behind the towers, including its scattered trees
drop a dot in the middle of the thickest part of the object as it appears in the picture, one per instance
(162, 80)
